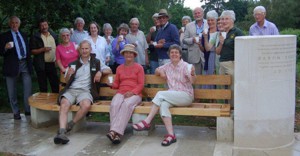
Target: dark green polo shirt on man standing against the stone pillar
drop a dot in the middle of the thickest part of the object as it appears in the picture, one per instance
(227, 52)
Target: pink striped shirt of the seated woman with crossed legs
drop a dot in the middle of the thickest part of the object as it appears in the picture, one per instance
(178, 77)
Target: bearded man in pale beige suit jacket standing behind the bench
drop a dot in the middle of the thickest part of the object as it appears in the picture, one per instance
(193, 30)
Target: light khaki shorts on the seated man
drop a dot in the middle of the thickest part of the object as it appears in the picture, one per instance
(75, 96)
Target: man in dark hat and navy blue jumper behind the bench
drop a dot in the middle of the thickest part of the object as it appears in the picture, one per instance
(166, 36)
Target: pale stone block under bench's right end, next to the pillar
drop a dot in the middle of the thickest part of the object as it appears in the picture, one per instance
(225, 129)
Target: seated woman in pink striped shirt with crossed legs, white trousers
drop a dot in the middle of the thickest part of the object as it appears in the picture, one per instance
(180, 76)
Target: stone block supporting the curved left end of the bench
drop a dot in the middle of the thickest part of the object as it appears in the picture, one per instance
(43, 118)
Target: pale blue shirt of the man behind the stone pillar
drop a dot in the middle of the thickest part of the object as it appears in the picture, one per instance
(269, 28)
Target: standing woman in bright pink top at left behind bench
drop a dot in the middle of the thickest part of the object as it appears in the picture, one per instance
(66, 52)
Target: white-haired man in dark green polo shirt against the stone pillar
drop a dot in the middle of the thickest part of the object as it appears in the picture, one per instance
(226, 45)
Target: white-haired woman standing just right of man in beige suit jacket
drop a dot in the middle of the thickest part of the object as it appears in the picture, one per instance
(209, 42)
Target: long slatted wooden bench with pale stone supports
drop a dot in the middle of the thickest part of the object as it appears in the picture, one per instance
(44, 107)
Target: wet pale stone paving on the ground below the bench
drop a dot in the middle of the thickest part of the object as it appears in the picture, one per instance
(19, 138)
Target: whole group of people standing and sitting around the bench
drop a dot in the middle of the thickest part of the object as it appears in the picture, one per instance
(202, 46)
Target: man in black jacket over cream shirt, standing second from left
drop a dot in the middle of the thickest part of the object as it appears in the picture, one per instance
(43, 46)
